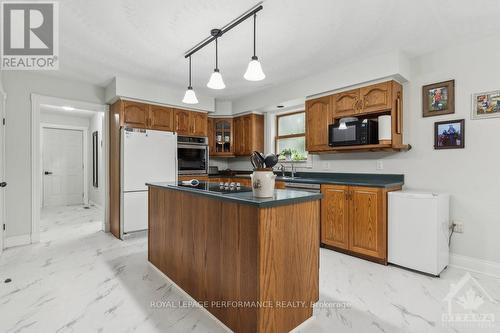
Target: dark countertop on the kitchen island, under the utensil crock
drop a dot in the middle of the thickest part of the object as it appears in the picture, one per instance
(281, 197)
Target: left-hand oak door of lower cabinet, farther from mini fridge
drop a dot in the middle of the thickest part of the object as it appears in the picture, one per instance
(335, 216)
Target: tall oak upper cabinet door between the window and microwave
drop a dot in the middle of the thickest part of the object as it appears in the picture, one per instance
(318, 117)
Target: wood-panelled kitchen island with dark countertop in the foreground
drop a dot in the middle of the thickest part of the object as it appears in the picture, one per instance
(253, 263)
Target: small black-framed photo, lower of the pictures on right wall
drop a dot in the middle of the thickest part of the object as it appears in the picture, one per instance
(449, 134)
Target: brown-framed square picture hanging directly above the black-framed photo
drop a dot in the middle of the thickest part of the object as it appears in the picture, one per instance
(438, 99)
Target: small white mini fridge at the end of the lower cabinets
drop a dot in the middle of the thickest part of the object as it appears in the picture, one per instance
(418, 231)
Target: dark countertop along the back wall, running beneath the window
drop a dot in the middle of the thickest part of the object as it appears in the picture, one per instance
(354, 179)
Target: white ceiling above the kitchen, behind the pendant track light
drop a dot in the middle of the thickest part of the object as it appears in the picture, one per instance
(147, 39)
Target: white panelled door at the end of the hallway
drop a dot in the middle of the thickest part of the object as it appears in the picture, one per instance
(62, 161)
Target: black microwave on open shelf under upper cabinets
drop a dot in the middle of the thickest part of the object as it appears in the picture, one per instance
(353, 133)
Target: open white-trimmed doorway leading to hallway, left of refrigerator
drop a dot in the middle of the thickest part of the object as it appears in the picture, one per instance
(69, 145)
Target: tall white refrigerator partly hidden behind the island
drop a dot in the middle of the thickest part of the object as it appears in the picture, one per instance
(146, 156)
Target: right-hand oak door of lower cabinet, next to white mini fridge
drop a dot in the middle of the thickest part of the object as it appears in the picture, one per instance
(367, 225)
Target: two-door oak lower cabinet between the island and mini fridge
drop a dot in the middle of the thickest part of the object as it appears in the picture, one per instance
(354, 219)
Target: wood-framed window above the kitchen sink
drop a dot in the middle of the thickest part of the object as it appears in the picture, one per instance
(291, 136)
